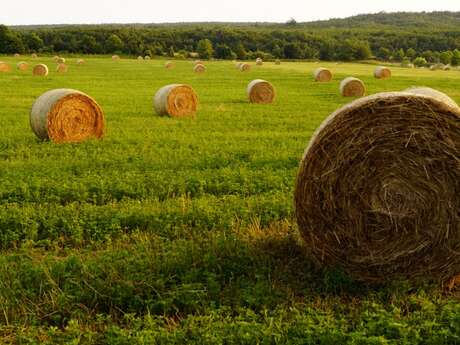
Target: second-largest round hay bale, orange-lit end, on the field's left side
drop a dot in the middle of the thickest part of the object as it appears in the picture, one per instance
(65, 115)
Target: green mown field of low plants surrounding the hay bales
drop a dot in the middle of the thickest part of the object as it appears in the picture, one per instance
(182, 231)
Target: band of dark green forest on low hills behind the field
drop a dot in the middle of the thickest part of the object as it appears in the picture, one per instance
(415, 37)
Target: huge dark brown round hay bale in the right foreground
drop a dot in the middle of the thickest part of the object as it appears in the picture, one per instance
(378, 189)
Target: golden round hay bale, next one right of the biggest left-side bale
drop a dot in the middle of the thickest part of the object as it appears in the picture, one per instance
(176, 100)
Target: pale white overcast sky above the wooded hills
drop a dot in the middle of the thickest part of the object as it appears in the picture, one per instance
(164, 11)
